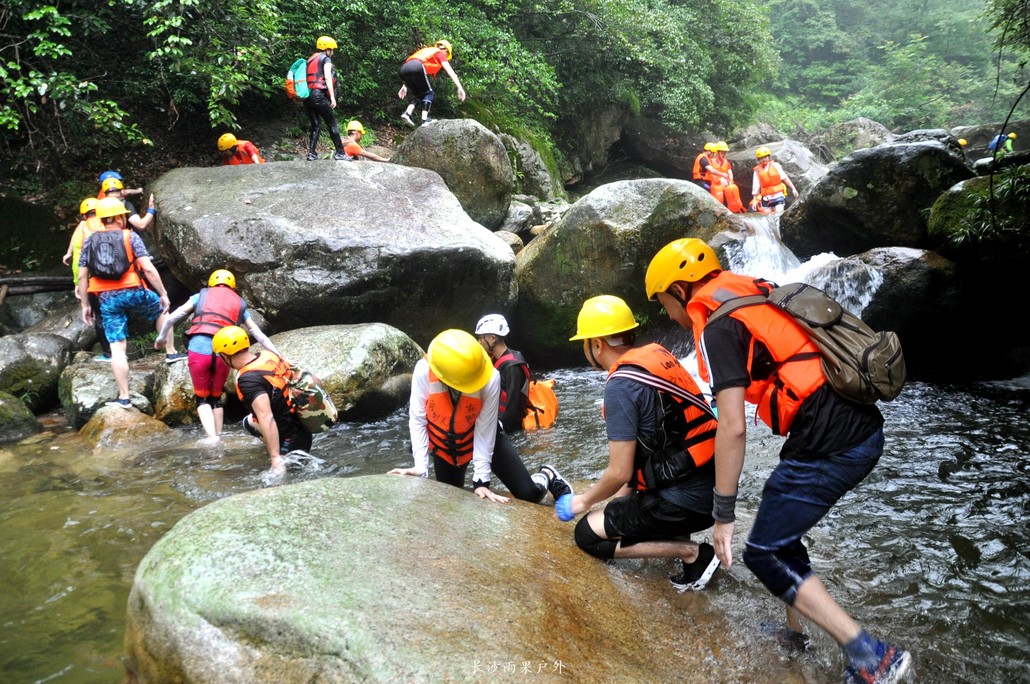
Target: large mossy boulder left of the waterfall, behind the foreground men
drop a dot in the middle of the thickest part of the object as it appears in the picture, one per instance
(603, 247)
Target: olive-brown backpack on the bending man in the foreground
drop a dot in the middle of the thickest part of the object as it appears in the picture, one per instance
(861, 364)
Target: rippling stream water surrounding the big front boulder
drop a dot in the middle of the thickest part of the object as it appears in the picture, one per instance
(933, 552)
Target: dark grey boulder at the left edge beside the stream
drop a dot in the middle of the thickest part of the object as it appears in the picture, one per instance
(31, 365)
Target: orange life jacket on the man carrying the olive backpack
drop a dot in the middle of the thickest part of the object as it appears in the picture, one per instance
(799, 372)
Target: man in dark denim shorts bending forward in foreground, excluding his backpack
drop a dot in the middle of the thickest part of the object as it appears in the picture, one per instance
(833, 444)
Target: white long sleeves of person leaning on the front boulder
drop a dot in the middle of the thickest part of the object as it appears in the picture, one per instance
(487, 423)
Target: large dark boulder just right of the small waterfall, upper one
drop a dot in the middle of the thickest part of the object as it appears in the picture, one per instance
(874, 198)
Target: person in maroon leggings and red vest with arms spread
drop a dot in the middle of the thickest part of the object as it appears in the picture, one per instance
(214, 307)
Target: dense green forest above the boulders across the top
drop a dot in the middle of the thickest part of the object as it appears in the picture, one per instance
(146, 85)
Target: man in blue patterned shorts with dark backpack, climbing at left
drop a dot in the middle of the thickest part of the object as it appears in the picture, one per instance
(110, 266)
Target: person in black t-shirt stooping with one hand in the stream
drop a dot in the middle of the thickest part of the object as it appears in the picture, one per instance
(260, 382)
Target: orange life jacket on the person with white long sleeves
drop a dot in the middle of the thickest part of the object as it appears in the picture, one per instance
(452, 428)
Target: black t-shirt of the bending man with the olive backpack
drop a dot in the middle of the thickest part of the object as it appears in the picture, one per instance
(827, 424)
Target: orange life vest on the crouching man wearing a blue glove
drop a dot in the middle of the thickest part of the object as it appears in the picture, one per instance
(699, 426)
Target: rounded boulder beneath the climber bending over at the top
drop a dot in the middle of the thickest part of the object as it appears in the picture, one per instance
(471, 160)
